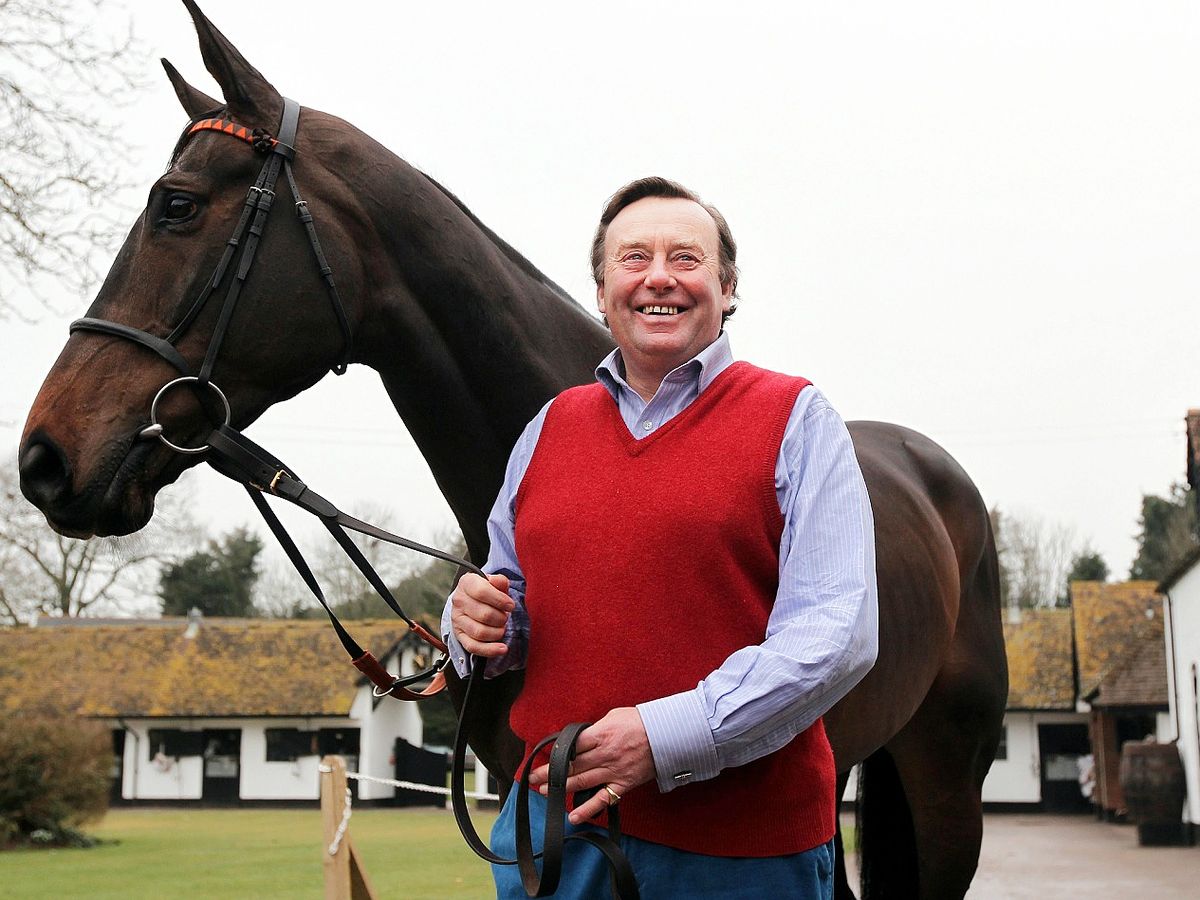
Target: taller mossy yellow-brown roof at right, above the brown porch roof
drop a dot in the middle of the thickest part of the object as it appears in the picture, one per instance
(1113, 623)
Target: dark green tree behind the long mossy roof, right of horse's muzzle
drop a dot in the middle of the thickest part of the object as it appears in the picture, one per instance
(219, 581)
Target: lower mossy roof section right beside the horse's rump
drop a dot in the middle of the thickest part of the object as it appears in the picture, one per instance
(1040, 668)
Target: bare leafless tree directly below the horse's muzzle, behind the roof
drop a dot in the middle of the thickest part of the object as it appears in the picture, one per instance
(45, 574)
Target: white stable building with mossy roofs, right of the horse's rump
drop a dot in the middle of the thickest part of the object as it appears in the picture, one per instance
(1083, 682)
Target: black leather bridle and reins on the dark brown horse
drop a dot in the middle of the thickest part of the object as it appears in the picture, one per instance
(238, 458)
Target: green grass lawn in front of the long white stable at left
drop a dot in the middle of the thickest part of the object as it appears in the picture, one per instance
(251, 854)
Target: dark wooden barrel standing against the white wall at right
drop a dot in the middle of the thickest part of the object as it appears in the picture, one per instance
(1155, 789)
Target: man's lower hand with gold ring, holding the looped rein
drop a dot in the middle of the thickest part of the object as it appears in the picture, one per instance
(614, 752)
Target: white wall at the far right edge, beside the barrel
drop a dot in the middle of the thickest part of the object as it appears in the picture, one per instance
(1184, 632)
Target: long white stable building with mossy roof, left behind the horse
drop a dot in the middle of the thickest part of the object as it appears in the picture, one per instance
(219, 711)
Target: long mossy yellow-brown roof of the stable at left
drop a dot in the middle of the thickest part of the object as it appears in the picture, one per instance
(154, 669)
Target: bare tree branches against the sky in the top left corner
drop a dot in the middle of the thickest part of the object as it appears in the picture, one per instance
(62, 75)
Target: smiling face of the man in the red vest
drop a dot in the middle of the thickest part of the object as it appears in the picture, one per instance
(662, 290)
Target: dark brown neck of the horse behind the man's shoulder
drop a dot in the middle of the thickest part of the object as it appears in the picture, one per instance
(470, 340)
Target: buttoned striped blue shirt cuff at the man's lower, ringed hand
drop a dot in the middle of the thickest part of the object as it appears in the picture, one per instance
(681, 740)
